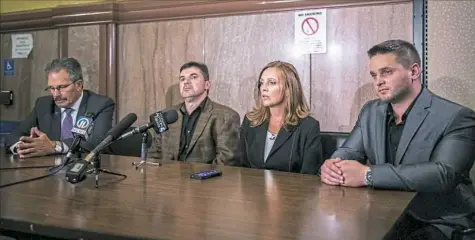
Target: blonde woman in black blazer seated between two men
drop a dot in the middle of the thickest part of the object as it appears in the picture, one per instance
(278, 133)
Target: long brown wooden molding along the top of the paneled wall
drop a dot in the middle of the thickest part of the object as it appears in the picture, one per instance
(149, 11)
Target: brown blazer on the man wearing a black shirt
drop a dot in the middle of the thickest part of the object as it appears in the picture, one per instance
(215, 139)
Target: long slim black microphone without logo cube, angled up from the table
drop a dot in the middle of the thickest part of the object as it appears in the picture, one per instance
(76, 173)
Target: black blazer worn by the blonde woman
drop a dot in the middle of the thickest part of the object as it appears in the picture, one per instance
(296, 149)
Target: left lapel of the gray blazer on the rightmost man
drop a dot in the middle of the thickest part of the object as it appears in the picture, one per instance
(381, 120)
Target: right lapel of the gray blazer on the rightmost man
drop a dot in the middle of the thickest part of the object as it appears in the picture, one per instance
(413, 122)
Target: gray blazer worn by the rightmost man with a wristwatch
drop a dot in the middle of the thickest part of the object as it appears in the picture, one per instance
(434, 156)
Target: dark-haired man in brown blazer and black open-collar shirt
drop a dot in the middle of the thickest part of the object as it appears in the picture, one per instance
(205, 131)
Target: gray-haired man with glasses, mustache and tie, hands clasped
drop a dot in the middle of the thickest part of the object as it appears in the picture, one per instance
(47, 130)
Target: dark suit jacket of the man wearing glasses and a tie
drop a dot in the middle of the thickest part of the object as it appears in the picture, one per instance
(47, 117)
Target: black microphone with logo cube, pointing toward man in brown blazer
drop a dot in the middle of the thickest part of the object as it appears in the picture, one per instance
(159, 121)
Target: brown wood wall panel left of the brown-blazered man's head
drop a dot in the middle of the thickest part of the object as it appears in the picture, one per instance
(149, 59)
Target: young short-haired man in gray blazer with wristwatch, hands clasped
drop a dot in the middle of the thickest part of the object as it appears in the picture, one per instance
(413, 140)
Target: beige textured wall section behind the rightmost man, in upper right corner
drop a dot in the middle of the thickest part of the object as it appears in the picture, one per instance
(451, 50)
